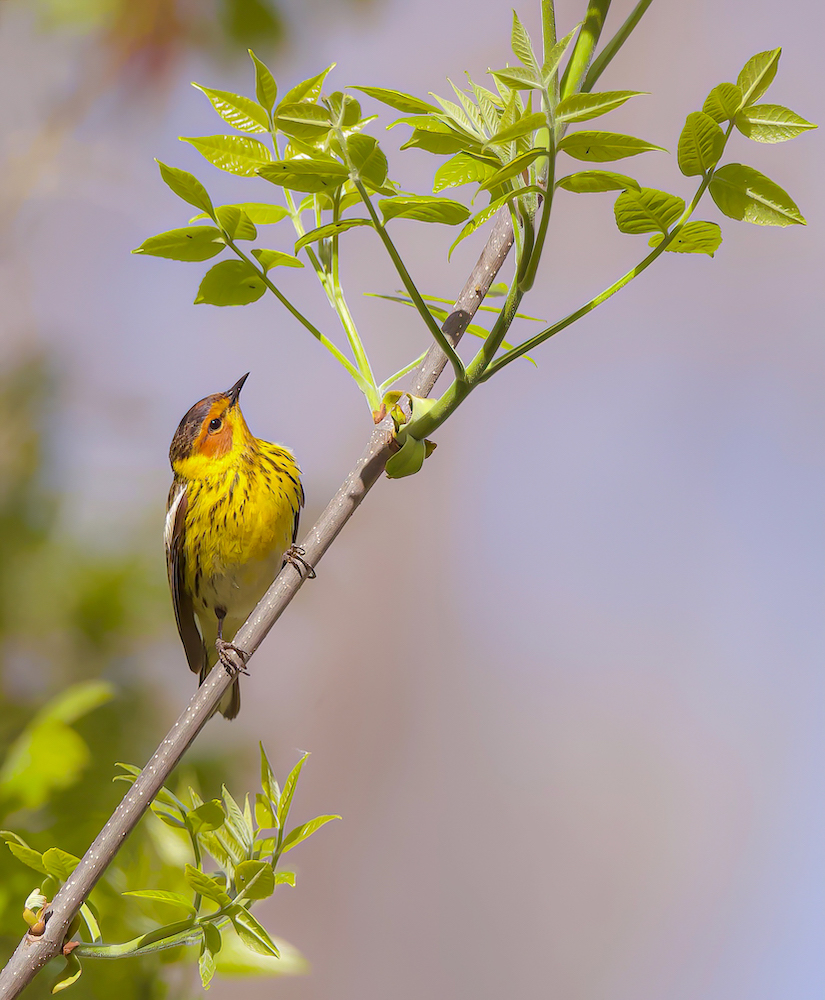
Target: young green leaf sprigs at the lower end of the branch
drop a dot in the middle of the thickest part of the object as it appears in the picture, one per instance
(246, 843)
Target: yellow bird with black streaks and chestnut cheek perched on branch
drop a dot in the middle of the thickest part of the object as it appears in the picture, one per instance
(231, 523)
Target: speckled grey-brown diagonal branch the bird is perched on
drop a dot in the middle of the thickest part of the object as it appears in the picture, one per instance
(34, 952)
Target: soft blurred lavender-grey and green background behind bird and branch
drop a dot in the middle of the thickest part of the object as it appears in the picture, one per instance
(565, 686)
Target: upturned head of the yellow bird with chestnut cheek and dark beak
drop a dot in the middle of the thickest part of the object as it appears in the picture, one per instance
(212, 434)
